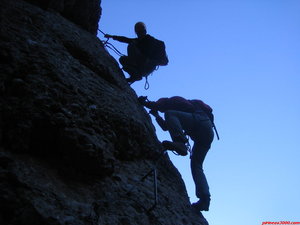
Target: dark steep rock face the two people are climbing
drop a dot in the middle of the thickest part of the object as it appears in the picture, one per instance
(74, 142)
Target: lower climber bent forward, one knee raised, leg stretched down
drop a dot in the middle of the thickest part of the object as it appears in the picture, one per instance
(195, 118)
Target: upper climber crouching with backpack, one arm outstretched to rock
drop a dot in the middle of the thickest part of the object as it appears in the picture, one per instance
(145, 53)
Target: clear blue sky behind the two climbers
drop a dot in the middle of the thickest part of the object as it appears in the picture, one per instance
(242, 57)
